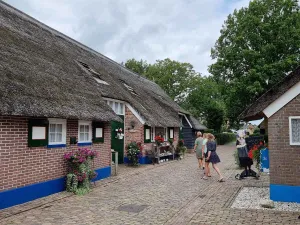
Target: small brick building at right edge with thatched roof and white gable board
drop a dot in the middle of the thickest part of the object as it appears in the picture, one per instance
(280, 108)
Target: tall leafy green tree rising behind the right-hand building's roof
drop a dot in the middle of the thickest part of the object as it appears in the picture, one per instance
(257, 47)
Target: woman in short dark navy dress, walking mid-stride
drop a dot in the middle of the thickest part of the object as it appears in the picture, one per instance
(212, 157)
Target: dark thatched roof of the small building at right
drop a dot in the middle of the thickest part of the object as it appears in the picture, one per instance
(255, 111)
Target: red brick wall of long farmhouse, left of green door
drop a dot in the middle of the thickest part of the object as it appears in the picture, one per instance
(22, 165)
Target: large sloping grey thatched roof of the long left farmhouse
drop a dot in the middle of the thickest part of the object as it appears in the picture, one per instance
(41, 75)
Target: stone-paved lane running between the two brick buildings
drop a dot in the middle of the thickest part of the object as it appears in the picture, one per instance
(170, 193)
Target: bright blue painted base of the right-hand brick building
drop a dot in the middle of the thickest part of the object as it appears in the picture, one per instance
(284, 193)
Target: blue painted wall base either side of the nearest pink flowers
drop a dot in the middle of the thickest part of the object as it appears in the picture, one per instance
(31, 192)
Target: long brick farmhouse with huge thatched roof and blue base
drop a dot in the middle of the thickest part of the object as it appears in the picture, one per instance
(58, 95)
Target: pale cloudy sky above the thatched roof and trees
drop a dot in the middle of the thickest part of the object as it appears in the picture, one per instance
(183, 30)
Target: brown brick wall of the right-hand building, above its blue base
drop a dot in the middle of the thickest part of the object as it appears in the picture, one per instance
(284, 158)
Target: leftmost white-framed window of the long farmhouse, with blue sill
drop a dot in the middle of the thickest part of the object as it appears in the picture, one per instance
(57, 132)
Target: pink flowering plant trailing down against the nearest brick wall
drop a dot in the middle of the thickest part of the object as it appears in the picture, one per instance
(80, 173)
